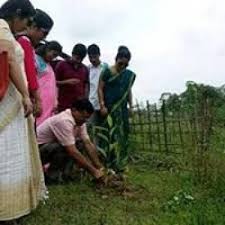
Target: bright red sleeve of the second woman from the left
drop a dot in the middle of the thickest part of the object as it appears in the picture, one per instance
(29, 63)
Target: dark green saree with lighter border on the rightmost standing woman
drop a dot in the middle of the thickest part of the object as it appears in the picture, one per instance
(116, 95)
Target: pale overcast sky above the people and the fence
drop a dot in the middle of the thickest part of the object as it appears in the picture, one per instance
(172, 41)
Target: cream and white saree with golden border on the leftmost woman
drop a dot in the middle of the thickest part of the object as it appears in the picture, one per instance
(21, 177)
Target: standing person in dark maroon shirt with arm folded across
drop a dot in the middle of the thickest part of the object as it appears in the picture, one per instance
(72, 78)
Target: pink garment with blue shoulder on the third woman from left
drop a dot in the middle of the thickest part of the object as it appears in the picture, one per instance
(47, 88)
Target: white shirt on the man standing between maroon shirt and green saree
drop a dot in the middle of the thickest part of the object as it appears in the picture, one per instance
(94, 75)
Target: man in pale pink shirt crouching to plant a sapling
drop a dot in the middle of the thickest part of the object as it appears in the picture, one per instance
(57, 140)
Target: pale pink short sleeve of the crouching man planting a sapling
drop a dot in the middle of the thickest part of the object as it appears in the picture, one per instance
(64, 132)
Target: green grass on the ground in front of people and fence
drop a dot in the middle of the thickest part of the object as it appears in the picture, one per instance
(148, 200)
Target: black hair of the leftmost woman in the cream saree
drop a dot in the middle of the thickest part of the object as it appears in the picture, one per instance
(17, 8)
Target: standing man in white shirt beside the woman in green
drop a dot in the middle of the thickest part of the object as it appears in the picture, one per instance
(95, 69)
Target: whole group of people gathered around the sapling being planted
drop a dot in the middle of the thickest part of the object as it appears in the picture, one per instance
(45, 105)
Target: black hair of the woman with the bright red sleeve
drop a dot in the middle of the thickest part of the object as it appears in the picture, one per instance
(43, 20)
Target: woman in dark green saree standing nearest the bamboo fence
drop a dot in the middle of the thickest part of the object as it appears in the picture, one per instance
(115, 94)
